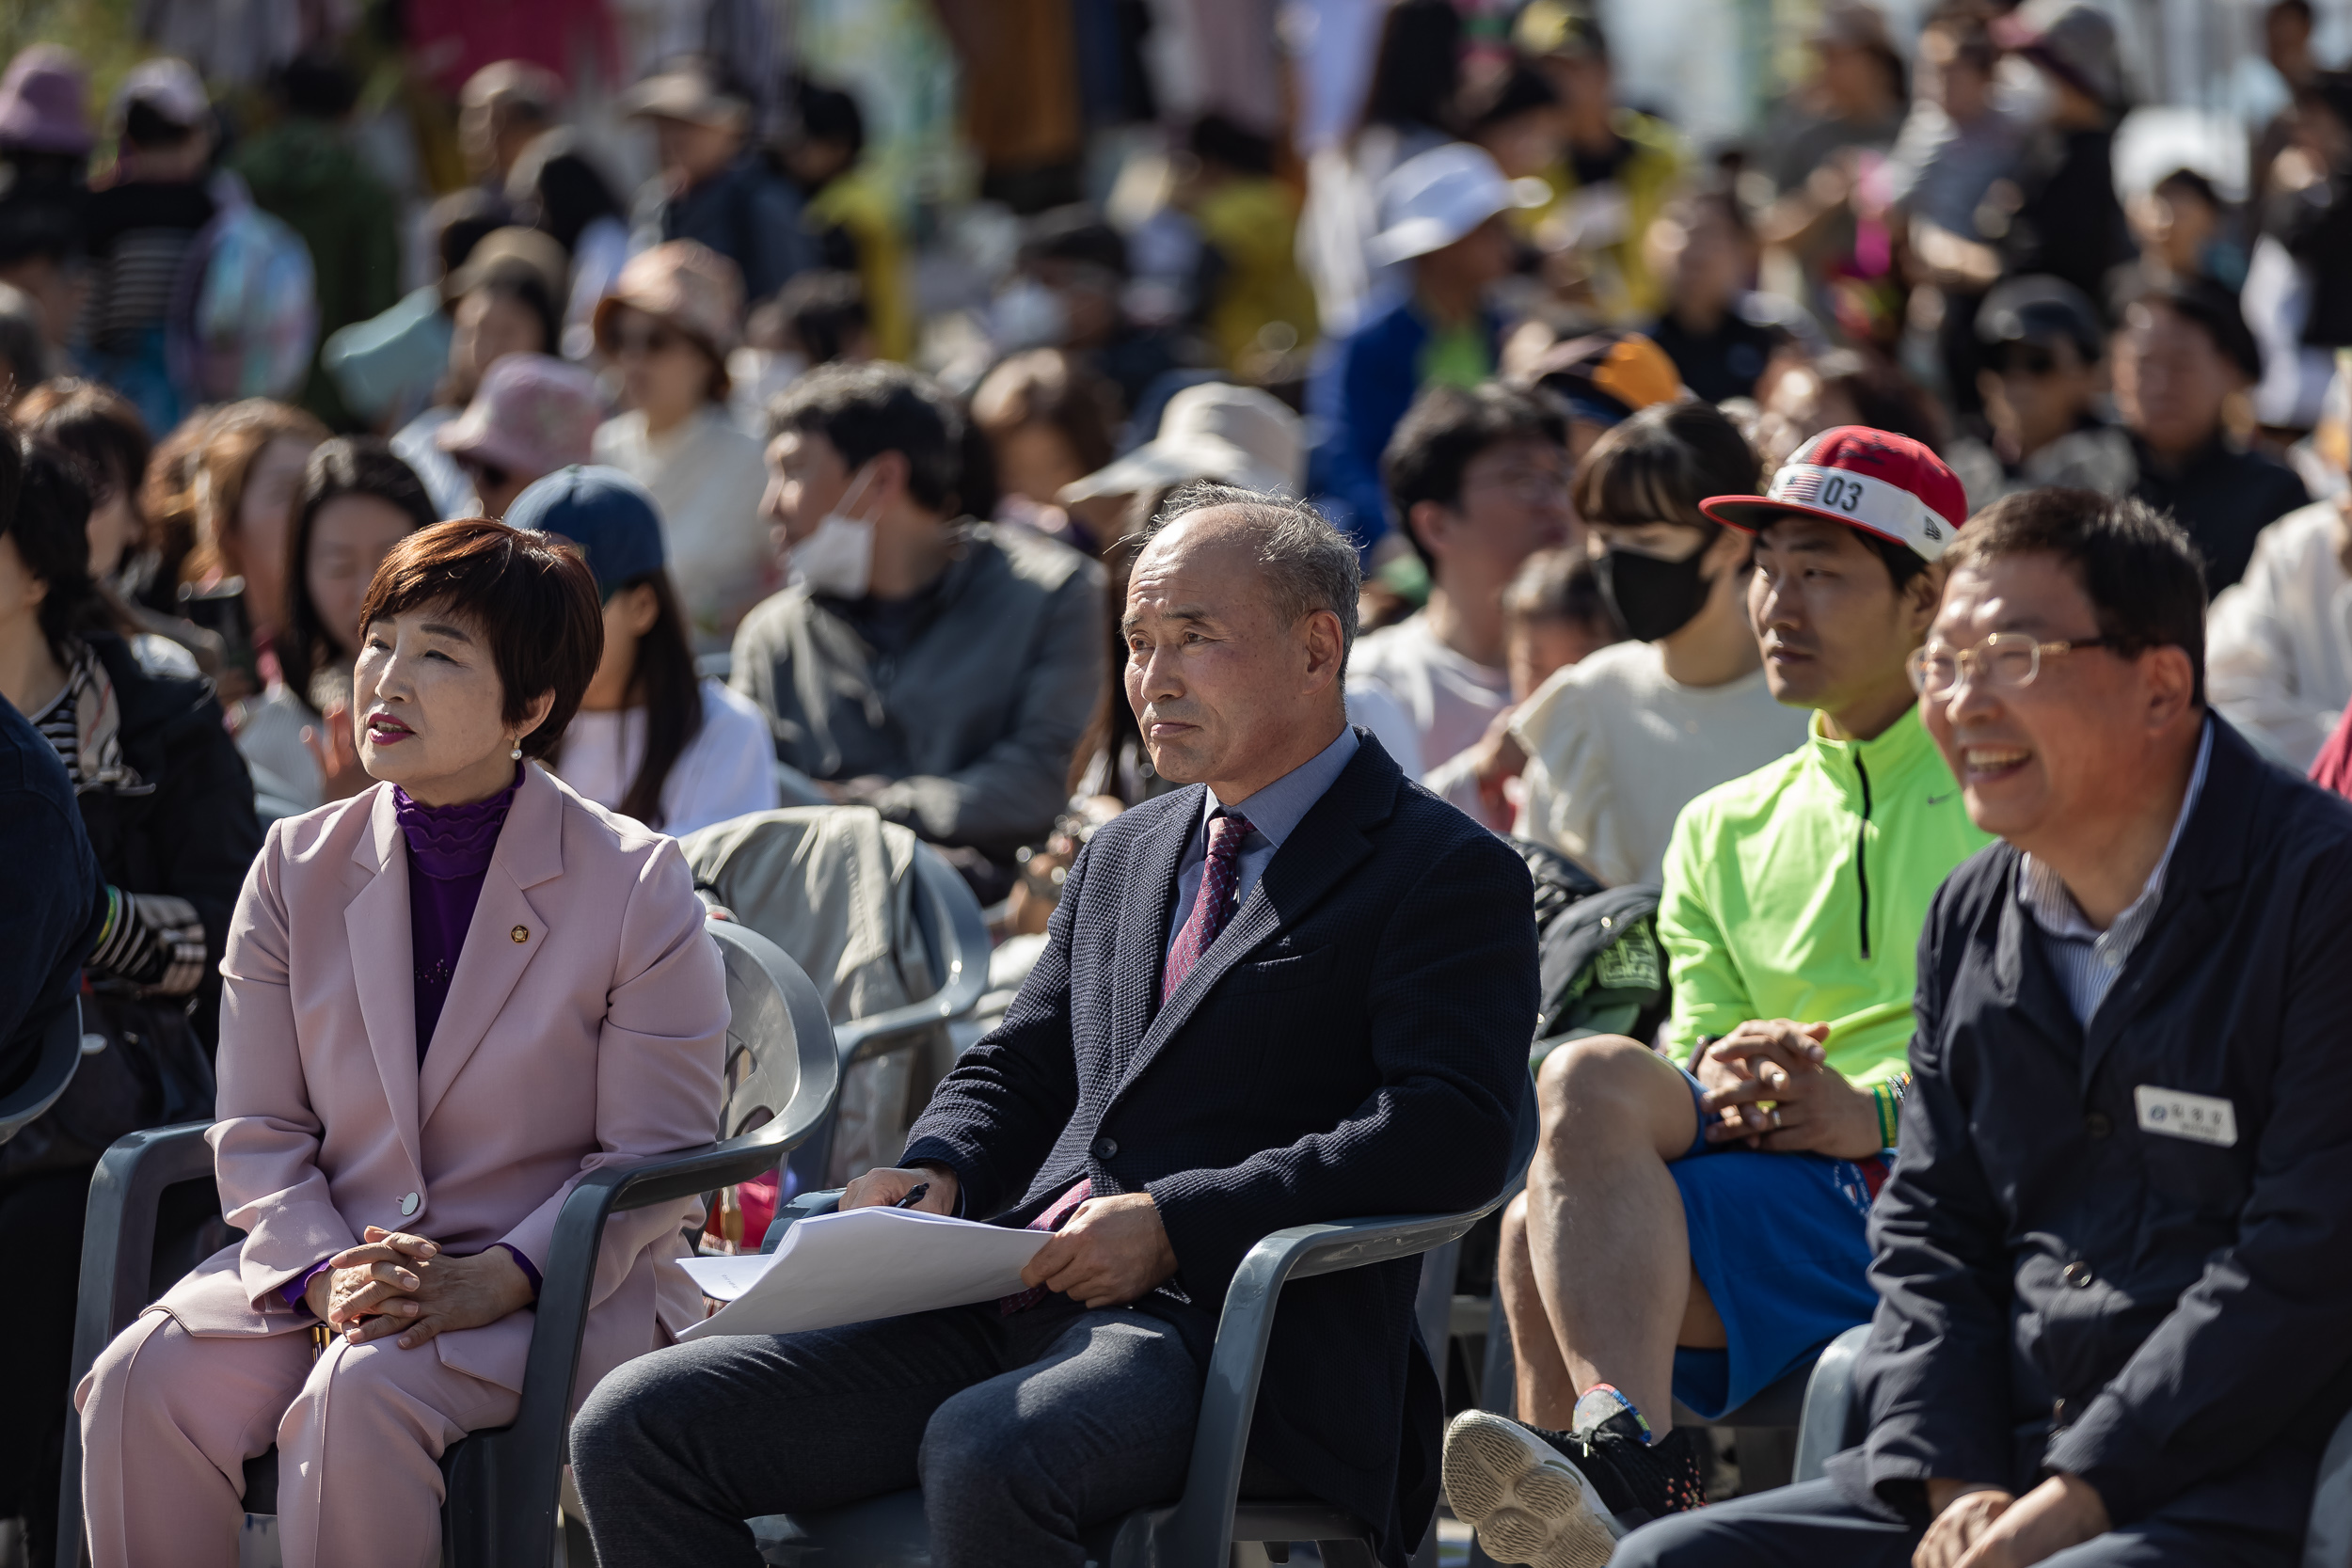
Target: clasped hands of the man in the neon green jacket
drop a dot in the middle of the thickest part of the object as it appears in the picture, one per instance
(1812, 1106)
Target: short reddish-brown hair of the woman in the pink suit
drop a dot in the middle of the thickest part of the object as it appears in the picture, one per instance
(530, 596)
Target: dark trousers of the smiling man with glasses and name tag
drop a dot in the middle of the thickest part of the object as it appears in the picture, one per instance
(1817, 1527)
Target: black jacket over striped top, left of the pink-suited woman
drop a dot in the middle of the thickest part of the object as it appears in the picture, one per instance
(187, 829)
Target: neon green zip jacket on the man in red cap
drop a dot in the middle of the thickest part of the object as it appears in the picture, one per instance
(1800, 890)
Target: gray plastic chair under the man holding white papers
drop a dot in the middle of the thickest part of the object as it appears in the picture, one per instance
(1201, 1527)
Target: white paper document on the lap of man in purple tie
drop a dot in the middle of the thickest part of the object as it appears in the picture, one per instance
(846, 1268)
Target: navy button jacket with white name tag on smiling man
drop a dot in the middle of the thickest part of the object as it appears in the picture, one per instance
(2062, 1289)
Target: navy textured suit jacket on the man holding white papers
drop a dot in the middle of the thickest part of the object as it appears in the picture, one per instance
(1351, 1045)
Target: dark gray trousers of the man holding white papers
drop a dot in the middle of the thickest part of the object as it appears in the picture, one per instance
(1022, 1430)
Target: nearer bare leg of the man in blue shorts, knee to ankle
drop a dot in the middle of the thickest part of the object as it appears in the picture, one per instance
(1608, 1238)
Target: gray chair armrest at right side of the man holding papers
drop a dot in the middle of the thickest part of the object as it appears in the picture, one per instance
(1201, 1532)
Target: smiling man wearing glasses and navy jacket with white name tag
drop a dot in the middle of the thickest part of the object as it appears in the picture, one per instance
(2113, 1257)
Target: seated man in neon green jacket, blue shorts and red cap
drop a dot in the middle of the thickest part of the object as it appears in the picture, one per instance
(1695, 1219)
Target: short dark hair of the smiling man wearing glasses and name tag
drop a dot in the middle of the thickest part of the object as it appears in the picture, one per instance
(2134, 563)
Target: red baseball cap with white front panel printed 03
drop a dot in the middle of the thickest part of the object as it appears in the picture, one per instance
(1871, 481)
